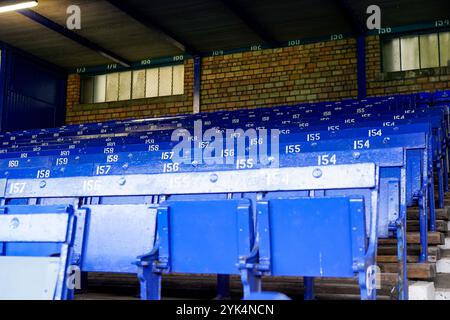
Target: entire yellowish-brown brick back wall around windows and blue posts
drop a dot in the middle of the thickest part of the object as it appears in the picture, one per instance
(307, 73)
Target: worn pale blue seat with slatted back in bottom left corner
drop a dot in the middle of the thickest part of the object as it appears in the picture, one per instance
(36, 251)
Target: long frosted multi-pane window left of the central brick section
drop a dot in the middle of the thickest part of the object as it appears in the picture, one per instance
(138, 84)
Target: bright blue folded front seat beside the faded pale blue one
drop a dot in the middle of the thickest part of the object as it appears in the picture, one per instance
(204, 236)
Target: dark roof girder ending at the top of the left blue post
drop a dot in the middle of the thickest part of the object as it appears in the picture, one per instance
(154, 26)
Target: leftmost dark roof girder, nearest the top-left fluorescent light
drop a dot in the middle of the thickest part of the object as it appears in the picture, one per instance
(32, 15)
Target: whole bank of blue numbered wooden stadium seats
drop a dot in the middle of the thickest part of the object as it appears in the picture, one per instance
(302, 190)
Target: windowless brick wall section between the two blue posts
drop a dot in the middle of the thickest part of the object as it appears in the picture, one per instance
(312, 72)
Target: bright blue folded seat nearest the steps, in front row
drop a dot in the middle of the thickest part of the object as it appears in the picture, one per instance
(313, 237)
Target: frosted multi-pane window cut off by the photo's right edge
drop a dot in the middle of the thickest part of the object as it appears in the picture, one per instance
(416, 52)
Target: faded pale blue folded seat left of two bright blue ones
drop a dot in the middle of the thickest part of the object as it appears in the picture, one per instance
(116, 235)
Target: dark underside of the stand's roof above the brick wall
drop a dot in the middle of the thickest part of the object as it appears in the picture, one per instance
(156, 28)
